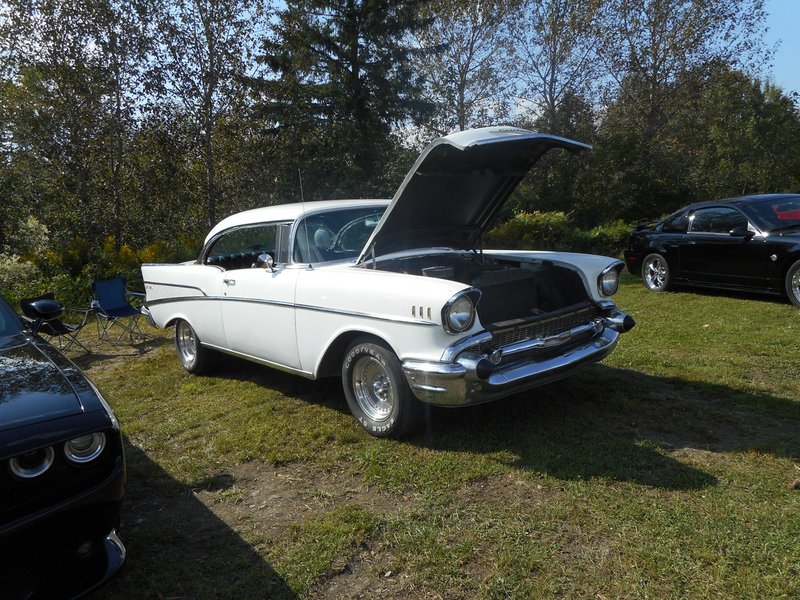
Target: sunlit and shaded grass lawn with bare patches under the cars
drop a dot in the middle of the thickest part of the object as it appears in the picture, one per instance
(670, 470)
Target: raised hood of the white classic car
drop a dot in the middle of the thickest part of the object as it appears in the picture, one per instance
(456, 186)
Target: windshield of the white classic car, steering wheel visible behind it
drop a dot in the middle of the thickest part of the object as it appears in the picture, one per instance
(335, 235)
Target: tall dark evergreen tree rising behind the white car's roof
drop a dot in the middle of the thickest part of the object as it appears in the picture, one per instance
(343, 81)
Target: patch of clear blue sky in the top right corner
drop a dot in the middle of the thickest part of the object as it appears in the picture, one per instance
(784, 26)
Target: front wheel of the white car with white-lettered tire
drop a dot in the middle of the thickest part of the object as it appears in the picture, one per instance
(377, 391)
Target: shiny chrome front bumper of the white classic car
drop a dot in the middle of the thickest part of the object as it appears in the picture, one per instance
(473, 378)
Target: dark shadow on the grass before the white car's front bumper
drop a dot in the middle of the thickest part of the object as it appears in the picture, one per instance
(619, 424)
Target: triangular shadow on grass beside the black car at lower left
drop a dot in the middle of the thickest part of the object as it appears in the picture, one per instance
(178, 548)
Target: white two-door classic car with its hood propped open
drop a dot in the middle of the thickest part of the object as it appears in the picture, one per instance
(397, 297)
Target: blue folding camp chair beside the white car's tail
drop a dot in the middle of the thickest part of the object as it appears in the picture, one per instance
(112, 309)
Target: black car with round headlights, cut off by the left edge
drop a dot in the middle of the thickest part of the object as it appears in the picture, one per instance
(62, 471)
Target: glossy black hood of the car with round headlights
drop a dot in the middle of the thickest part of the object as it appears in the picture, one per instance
(36, 383)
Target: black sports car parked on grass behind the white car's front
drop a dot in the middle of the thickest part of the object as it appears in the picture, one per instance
(750, 243)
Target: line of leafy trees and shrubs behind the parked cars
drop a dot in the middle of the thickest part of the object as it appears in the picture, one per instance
(128, 127)
